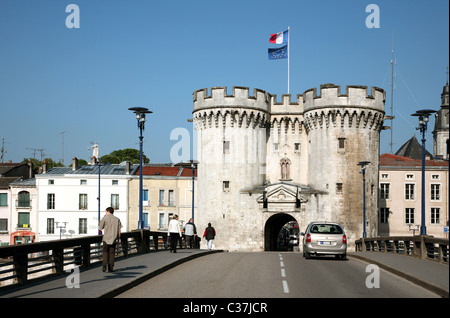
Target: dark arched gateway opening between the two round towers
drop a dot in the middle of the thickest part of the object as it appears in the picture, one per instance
(277, 230)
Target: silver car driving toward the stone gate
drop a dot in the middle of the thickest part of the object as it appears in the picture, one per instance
(324, 238)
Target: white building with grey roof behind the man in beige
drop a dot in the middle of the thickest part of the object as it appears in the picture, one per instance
(68, 203)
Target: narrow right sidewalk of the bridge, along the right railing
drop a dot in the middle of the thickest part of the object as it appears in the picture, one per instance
(426, 273)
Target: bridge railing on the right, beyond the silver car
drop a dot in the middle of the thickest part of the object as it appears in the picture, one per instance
(421, 246)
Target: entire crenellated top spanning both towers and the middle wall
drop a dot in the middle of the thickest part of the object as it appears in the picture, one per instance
(311, 108)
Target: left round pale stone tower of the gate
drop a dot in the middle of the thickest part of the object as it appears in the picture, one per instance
(231, 150)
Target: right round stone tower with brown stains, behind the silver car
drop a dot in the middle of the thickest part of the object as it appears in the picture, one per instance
(343, 130)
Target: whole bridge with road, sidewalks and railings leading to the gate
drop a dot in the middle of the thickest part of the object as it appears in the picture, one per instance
(71, 268)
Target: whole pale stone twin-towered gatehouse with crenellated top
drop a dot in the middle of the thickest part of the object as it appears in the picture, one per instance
(263, 163)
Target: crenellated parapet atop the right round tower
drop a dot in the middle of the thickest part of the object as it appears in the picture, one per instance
(355, 96)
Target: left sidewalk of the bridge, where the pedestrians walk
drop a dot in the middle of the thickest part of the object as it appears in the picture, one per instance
(93, 283)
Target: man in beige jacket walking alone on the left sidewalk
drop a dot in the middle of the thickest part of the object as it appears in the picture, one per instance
(111, 236)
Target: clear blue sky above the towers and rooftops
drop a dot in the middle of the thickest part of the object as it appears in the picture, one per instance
(155, 54)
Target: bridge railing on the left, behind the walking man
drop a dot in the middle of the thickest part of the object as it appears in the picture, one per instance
(26, 263)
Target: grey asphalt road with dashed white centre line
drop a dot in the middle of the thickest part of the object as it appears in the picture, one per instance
(275, 275)
